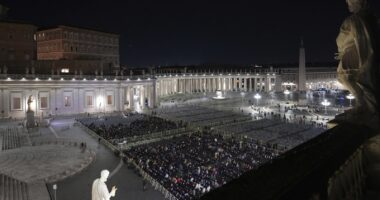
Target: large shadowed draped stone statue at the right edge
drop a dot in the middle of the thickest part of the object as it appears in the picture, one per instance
(358, 70)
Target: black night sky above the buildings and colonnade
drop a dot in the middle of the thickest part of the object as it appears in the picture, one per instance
(155, 32)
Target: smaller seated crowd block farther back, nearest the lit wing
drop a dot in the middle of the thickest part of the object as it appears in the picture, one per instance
(119, 128)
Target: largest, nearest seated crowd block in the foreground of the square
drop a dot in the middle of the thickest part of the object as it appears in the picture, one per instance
(189, 166)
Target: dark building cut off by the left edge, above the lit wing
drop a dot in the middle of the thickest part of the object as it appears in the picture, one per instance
(17, 44)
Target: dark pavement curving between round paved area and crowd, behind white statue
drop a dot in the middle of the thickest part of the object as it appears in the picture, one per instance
(78, 187)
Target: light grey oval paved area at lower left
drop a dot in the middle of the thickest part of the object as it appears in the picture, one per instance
(43, 163)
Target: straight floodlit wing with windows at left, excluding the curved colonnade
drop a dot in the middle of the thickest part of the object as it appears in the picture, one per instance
(66, 96)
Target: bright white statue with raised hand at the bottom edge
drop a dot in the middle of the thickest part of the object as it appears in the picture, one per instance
(99, 187)
